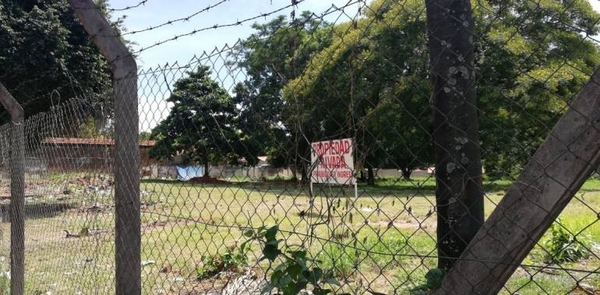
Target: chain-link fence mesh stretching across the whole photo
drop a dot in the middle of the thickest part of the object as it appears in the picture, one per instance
(357, 150)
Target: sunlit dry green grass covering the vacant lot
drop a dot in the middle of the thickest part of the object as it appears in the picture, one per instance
(384, 240)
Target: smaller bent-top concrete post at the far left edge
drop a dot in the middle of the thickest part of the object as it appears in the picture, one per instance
(17, 192)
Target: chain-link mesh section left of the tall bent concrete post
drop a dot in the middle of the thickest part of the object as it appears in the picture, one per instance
(68, 201)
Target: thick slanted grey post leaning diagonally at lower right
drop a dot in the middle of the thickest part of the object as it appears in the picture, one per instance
(556, 172)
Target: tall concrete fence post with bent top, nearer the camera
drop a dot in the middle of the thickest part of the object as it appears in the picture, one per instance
(127, 158)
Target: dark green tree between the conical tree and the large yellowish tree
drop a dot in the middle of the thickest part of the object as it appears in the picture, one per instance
(277, 52)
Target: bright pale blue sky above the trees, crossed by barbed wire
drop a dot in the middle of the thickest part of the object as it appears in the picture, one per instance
(154, 90)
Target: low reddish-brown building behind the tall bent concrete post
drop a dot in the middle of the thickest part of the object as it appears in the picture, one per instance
(67, 154)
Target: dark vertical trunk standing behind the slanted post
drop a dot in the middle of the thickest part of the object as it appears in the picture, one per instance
(459, 194)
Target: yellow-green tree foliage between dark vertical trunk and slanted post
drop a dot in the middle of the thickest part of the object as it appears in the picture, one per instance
(529, 66)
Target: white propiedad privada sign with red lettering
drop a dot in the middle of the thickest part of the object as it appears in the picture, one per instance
(332, 162)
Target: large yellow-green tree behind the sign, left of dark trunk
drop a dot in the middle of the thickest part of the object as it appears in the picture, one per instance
(370, 84)
